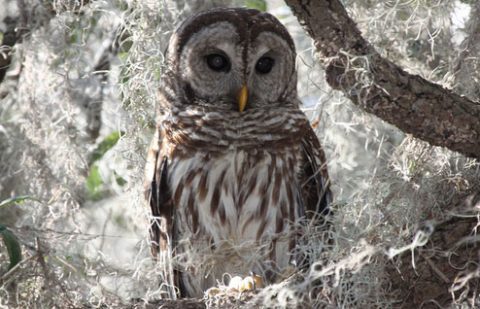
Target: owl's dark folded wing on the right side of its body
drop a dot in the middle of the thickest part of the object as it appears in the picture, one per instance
(316, 194)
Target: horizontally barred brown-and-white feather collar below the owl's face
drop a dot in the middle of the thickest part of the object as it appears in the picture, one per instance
(201, 129)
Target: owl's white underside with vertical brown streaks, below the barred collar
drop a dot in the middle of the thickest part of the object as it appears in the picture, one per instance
(239, 202)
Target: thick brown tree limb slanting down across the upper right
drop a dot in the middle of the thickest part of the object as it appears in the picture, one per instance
(415, 105)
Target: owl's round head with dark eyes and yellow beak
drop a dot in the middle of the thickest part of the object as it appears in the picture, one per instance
(235, 59)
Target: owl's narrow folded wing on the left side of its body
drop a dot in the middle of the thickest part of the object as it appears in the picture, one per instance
(159, 197)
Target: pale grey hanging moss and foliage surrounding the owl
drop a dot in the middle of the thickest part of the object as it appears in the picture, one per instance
(77, 112)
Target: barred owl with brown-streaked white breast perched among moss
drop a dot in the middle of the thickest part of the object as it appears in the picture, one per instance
(235, 169)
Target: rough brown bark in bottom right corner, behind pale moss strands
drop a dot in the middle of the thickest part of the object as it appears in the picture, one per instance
(445, 273)
